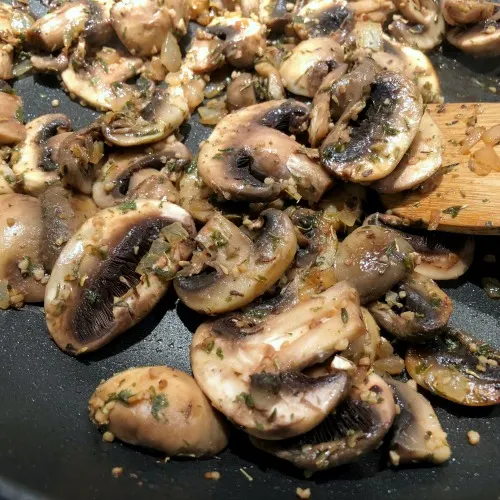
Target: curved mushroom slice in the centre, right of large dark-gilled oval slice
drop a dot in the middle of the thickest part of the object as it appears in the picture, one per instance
(239, 270)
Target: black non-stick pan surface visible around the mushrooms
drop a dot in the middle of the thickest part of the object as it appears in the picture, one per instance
(50, 450)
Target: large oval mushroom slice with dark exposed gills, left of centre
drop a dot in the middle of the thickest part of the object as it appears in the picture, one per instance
(113, 271)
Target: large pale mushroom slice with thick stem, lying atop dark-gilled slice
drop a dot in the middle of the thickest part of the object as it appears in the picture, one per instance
(249, 369)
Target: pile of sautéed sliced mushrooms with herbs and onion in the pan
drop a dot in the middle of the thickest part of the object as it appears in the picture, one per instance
(264, 230)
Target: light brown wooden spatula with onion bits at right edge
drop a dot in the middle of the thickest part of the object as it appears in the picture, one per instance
(456, 199)
